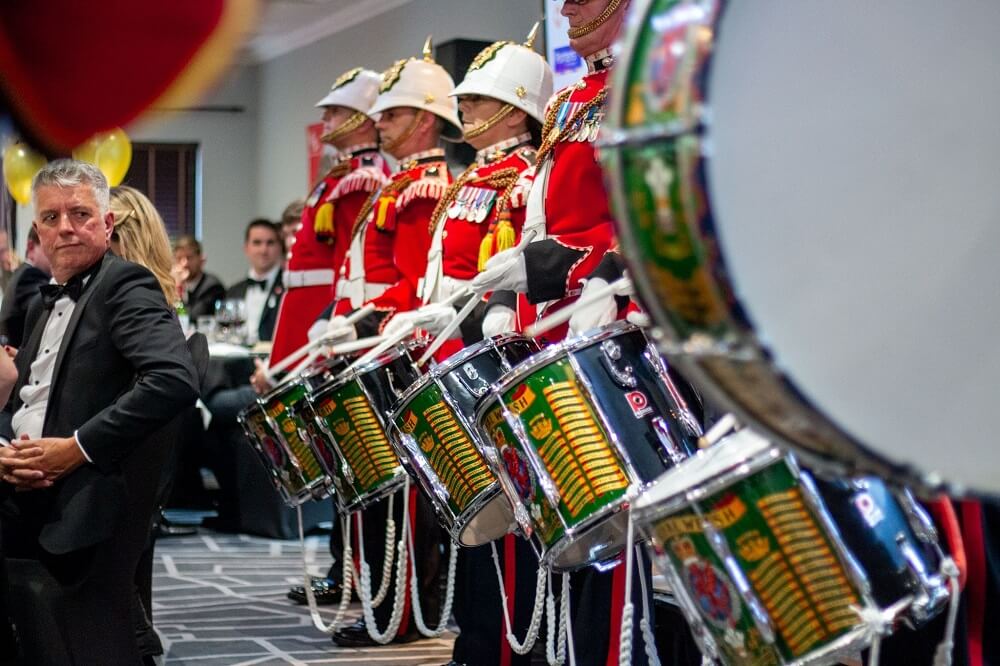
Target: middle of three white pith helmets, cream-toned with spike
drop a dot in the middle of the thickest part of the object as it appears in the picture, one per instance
(420, 84)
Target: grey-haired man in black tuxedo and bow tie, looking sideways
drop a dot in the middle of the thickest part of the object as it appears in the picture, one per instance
(104, 365)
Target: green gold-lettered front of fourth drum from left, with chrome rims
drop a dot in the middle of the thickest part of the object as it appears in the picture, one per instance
(569, 490)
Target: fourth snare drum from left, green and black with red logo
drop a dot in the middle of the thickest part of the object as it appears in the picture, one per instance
(578, 427)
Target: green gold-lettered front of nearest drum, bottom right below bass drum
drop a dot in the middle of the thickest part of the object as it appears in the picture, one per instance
(756, 517)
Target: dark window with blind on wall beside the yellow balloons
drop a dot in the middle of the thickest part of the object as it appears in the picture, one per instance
(167, 174)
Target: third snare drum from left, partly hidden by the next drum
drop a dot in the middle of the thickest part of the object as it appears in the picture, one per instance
(434, 432)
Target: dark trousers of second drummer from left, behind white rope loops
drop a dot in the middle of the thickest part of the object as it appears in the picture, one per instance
(428, 544)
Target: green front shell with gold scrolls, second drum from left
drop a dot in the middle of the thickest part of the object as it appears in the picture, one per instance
(344, 412)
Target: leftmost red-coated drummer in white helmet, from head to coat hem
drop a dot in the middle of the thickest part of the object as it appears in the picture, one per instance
(323, 237)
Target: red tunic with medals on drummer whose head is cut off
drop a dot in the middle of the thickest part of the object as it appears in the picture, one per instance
(570, 211)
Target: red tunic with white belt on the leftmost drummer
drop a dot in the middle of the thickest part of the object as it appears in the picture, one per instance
(322, 241)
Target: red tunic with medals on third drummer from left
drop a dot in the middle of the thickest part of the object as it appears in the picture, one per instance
(480, 214)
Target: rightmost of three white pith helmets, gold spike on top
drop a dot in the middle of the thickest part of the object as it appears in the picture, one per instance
(512, 73)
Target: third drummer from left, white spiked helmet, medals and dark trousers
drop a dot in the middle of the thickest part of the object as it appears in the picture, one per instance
(501, 101)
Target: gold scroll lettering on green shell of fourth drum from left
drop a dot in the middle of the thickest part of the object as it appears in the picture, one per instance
(576, 453)
